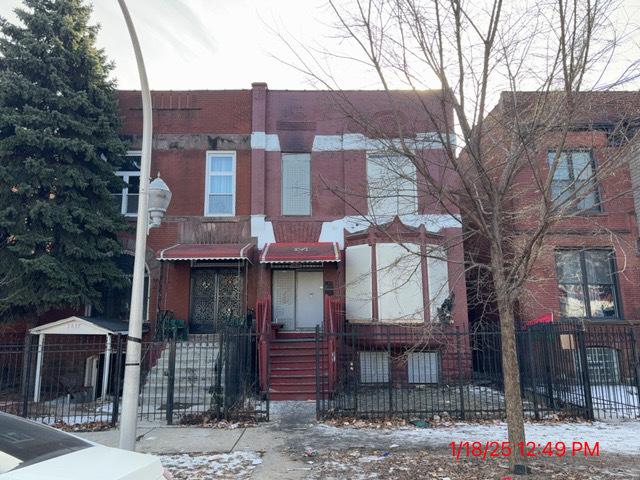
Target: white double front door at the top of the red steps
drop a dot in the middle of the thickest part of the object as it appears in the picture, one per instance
(297, 299)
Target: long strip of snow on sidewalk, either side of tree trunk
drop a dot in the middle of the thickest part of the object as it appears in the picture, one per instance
(614, 437)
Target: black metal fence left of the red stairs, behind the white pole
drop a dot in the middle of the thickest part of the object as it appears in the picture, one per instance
(63, 380)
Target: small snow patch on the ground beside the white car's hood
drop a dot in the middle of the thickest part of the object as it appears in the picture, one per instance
(237, 465)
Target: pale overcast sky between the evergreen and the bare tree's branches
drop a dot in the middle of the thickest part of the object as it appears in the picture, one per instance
(228, 44)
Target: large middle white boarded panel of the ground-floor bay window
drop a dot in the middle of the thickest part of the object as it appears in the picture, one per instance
(399, 272)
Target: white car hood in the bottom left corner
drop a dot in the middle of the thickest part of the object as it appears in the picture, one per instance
(97, 463)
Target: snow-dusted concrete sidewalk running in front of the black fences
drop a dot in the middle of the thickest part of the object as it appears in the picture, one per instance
(281, 443)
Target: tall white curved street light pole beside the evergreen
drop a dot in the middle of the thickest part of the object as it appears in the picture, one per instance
(131, 387)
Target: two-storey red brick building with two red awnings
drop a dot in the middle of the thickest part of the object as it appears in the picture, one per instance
(273, 200)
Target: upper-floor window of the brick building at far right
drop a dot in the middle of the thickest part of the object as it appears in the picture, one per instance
(573, 180)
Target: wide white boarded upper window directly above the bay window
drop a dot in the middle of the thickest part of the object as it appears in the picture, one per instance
(392, 185)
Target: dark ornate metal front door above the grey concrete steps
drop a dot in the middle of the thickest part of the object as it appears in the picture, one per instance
(216, 296)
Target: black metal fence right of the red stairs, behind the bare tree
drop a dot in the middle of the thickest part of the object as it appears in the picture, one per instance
(408, 372)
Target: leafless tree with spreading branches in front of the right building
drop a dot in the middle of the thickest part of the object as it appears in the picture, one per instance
(548, 58)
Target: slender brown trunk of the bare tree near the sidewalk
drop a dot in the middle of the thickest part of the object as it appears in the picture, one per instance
(511, 376)
